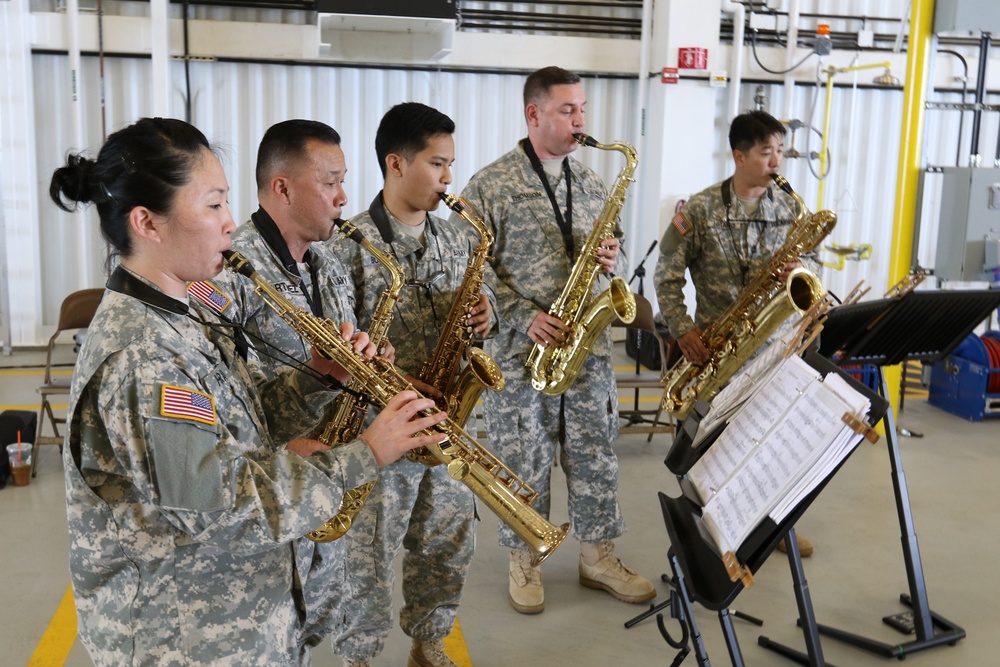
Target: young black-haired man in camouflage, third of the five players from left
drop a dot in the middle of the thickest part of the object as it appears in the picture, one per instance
(414, 505)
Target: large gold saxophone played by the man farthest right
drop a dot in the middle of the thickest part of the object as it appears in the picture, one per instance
(758, 311)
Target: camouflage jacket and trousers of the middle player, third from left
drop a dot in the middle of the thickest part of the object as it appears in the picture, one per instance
(419, 507)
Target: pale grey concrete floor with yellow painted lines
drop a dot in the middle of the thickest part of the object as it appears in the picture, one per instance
(855, 576)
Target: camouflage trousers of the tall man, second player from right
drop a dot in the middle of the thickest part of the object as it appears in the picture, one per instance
(526, 427)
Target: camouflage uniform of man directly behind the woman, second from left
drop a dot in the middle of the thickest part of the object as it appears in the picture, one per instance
(260, 241)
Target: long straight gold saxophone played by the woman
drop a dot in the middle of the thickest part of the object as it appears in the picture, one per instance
(468, 461)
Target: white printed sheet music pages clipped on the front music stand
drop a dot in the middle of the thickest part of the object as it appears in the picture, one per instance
(795, 452)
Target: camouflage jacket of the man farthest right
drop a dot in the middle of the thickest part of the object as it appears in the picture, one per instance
(715, 248)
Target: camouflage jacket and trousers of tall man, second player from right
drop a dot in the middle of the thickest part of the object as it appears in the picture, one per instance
(525, 426)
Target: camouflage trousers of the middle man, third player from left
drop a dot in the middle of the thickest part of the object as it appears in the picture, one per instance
(431, 515)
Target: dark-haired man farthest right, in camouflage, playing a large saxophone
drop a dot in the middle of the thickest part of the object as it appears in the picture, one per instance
(725, 235)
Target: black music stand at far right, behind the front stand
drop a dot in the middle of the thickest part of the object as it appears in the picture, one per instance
(920, 326)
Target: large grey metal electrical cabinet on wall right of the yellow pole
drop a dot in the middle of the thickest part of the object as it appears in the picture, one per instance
(970, 212)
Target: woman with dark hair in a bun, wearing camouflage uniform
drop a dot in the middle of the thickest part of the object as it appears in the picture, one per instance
(177, 488)
